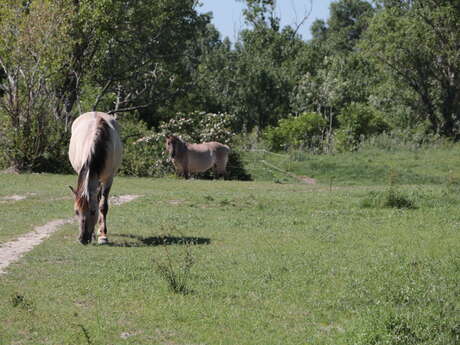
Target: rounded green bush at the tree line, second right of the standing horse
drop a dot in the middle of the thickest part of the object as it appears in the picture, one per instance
(357, 122)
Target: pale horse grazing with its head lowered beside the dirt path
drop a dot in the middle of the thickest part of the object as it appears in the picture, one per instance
(95, 154)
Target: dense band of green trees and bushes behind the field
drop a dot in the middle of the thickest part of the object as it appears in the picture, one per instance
(370, 68)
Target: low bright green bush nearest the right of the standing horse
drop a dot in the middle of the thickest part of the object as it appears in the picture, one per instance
(303, 131)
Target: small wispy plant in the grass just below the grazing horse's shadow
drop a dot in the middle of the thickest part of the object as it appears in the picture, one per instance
(175, 271)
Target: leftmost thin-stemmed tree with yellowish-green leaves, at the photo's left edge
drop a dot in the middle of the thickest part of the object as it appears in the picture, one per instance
(34, 46)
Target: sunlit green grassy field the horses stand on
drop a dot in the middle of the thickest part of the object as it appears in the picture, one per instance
(373, 258)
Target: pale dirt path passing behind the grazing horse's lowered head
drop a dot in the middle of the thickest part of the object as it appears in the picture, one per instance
(14, 250)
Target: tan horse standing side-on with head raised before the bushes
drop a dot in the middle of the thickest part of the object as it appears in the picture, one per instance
(193, 158)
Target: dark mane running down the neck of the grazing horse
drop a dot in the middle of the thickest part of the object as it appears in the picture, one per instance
(94, 163)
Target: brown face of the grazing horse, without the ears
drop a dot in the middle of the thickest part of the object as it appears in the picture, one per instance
(88, 214)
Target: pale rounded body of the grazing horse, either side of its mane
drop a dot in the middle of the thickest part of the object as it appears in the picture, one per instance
(82, 141)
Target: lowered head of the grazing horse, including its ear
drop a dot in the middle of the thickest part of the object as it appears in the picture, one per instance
(87, 210)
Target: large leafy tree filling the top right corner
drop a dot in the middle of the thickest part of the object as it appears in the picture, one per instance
(416, 44)
